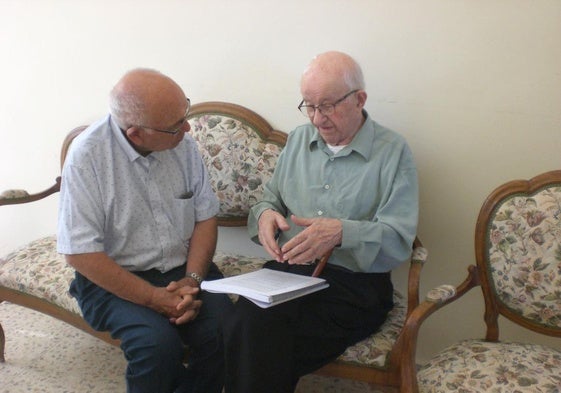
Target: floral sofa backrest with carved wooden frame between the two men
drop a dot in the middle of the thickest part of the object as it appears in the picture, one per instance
(240, 150)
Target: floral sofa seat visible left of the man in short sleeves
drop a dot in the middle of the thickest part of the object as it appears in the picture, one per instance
(37, 269)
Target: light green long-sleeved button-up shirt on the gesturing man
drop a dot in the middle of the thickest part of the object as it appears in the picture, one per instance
(370, 185)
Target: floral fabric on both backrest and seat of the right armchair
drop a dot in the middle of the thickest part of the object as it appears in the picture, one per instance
(523, 260)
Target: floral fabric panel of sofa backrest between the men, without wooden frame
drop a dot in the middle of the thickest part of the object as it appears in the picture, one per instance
(239, 161)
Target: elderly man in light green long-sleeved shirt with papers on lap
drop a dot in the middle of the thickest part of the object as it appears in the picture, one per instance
(343, 183)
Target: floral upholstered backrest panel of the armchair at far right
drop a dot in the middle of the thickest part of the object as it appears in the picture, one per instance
(524, 255)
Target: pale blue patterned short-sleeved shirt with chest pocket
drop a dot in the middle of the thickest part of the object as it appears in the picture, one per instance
(141, 211)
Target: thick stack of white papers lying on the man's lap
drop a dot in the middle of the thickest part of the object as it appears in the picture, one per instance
(266, 287)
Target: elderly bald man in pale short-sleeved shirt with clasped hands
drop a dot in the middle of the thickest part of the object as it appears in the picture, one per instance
(137, 222)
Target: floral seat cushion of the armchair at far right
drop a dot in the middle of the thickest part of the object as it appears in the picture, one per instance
(480, 366)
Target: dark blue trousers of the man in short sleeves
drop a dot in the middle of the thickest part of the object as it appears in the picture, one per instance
(152, 345)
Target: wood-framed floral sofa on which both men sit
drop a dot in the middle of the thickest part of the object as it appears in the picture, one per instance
(240, 150)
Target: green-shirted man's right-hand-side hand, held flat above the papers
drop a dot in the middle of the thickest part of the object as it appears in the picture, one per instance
(319, 236)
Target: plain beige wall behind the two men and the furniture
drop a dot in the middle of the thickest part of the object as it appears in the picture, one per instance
(475, 86)
